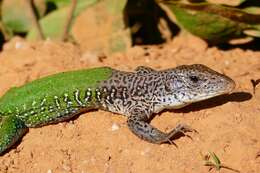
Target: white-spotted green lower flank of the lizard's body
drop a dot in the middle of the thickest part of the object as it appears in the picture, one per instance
(64, 107)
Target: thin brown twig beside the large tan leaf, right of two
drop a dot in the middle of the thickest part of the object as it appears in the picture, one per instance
(68, 21)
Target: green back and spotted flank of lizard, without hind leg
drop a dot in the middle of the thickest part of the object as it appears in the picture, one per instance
(54, 98)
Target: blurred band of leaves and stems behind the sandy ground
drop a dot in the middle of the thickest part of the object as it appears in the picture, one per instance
(146, 21)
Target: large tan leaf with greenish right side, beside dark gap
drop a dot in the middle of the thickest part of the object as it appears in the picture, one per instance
(104, 28)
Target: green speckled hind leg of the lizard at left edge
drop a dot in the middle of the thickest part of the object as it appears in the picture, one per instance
(11, 130)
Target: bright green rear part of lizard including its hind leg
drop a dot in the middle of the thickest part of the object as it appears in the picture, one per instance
(20, 108)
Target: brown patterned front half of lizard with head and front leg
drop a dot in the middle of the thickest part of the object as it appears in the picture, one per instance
(146, 91)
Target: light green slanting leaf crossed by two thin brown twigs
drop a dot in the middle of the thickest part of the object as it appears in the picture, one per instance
(53, 24)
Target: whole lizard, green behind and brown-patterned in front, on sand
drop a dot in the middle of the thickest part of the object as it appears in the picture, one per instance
(139, 95)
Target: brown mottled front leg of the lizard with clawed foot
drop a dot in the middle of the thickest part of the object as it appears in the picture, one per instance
(138, 123)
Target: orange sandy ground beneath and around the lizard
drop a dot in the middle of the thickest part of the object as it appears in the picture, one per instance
(100, 141)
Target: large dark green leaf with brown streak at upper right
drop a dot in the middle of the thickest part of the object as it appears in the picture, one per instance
(214, 23)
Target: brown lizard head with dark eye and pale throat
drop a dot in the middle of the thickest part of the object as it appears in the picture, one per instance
(192, 83)
